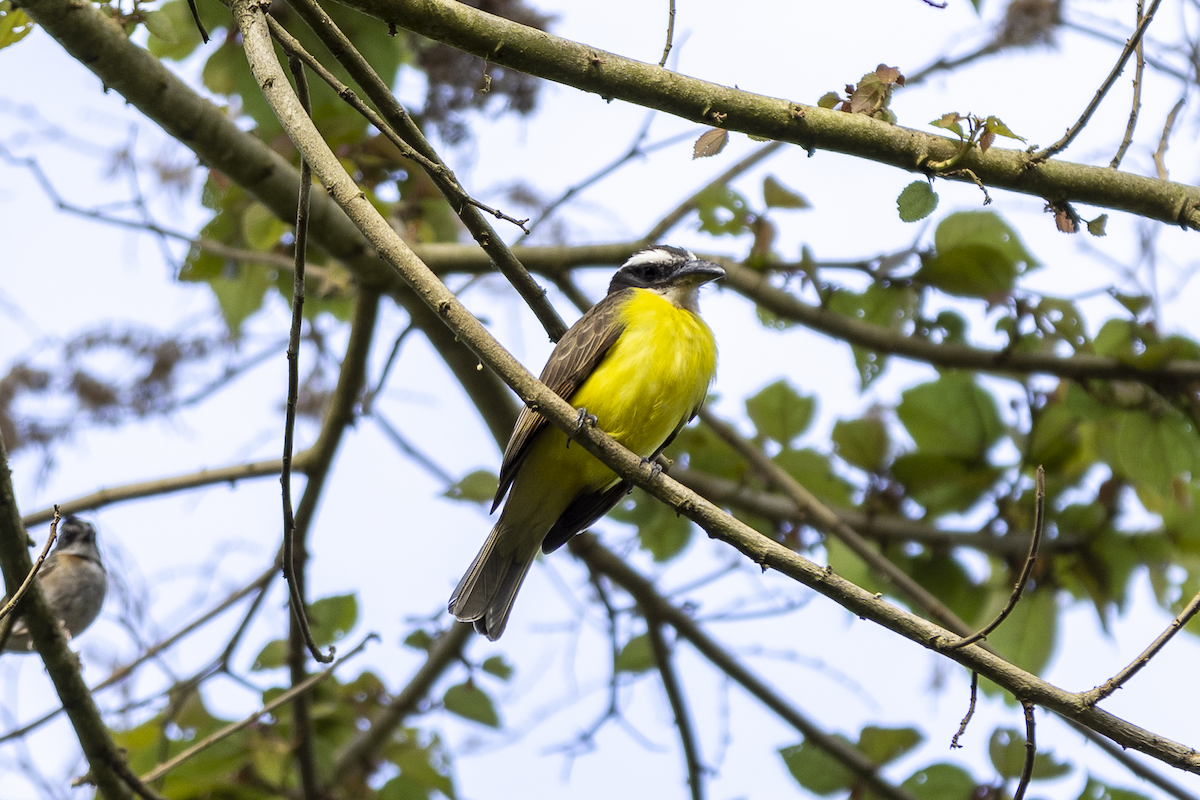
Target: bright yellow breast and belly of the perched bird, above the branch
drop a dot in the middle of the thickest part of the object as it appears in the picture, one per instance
(655, 377)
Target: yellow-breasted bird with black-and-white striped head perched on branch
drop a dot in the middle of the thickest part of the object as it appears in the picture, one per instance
(639, 365)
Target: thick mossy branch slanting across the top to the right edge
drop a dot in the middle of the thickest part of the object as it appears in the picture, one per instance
(611, 76)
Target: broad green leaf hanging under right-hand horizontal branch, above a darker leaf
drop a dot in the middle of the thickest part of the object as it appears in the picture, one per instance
(951, 417)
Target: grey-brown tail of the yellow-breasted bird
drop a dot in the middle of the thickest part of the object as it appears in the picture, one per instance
(485, 594)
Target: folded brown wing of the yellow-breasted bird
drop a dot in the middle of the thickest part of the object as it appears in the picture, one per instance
(572, 363)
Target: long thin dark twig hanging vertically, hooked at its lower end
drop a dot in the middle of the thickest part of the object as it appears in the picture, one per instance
(290, 526)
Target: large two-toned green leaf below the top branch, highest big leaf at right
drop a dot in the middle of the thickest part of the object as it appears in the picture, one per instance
(977, 256)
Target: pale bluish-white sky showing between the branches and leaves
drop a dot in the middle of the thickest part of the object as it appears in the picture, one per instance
(403, 551)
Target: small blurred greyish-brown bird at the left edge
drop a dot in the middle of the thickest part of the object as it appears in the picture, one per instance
(74, 581)
